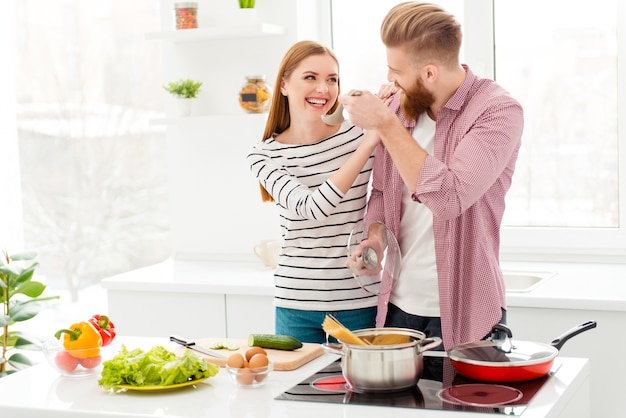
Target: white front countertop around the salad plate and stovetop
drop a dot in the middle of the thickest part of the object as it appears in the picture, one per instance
(40, 391)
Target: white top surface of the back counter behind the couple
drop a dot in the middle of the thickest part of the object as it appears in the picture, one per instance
(576, 286)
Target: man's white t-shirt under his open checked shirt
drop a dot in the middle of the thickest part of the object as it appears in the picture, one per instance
(417, 291)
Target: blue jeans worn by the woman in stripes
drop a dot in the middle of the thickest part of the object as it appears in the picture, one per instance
(307, 325)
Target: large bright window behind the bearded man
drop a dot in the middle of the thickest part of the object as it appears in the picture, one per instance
(560, 60)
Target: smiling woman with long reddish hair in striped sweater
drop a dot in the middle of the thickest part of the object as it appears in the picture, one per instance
(318, 176)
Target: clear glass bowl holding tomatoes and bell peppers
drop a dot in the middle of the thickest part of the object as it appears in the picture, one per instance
(77, 363)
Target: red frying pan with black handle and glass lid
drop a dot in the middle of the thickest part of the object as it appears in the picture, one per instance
(508, 360)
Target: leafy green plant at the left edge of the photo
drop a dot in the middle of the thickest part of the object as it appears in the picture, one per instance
(20, 297)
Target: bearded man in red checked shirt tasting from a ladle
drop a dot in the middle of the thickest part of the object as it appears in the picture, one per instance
(449, 144)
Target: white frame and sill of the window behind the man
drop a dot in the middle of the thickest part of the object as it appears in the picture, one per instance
(549, 243)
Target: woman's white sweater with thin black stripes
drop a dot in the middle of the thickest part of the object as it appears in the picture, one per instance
(315, 219)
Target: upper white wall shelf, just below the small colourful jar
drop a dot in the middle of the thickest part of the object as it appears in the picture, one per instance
(253, 30)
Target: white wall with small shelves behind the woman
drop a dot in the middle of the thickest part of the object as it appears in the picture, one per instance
(216, 208)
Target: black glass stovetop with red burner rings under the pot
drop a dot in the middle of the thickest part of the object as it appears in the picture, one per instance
(439, 388)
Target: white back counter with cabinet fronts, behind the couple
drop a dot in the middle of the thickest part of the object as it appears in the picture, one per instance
(154, 302)
